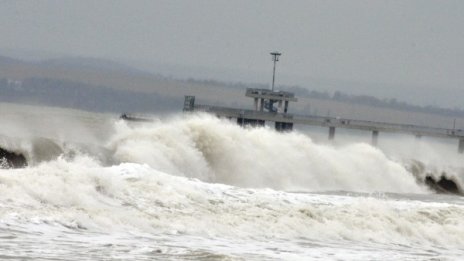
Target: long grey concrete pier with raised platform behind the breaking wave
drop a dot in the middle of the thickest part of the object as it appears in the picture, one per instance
(265, 112)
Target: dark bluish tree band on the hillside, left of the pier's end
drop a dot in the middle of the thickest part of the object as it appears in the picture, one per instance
(65, 93)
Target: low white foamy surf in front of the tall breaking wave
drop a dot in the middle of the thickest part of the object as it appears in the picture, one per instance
(133, 200)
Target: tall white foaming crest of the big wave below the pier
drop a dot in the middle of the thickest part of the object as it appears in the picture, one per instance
(216, 150)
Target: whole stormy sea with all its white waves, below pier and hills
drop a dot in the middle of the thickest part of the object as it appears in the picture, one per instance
(77, 185)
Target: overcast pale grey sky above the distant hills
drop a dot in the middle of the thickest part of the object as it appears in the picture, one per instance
(412, 50)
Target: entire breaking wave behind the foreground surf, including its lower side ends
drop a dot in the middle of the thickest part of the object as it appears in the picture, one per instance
(218, 151)
